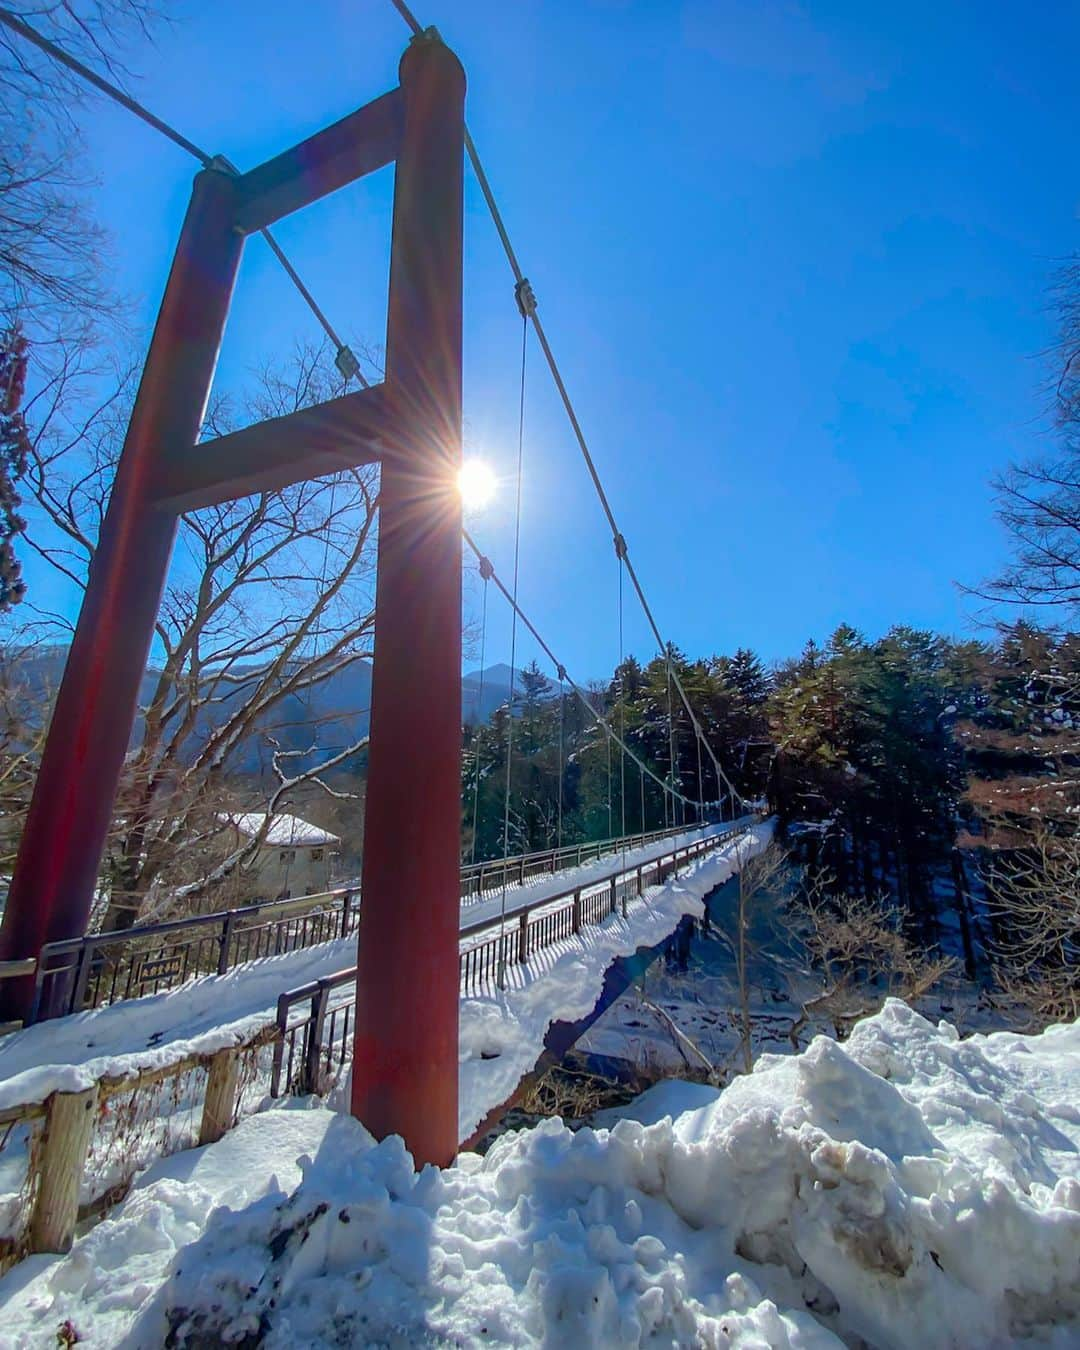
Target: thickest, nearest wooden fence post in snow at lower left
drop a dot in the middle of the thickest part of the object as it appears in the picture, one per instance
(68, 1128)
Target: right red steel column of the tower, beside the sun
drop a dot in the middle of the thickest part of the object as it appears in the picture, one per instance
(406, 1066)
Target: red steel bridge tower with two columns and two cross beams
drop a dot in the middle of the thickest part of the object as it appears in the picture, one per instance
(406, 1069)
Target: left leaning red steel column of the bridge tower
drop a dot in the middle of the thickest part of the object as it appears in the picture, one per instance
(70, 817)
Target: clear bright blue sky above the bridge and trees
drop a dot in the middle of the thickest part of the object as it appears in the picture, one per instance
(792, 259)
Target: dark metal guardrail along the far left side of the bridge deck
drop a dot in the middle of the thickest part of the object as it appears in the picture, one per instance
(103, 969)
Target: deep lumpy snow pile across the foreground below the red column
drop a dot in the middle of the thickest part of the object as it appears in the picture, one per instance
(908, 1189)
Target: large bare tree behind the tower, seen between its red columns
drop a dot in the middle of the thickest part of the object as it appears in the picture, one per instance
(269, 597)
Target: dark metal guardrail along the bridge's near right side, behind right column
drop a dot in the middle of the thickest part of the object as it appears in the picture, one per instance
(314, 1023)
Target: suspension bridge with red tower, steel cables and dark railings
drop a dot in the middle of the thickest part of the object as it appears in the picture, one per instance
(414, 952)
